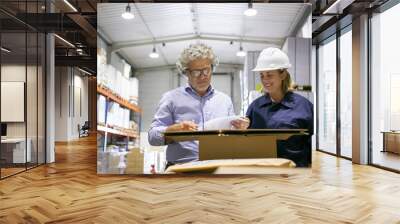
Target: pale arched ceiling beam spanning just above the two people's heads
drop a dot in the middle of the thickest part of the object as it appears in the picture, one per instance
(184, 37)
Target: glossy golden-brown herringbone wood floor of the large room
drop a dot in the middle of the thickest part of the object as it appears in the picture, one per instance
(70, 191)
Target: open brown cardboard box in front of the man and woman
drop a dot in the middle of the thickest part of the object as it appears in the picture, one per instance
(234, 145)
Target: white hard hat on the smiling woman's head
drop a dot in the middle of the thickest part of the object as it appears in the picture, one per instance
(272, 58)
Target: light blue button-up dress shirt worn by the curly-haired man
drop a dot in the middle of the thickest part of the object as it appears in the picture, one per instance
(184, 104)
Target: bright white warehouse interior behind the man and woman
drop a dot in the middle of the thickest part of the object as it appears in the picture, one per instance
(126, 44)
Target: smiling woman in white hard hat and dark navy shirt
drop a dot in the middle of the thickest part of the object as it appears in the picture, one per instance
(280, 108)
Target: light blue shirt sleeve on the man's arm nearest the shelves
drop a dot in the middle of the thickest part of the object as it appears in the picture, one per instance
(162, 119)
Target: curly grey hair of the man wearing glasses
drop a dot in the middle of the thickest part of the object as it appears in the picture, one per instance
(195, 51)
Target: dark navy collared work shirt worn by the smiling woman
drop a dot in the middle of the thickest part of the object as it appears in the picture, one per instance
(293, 112)
